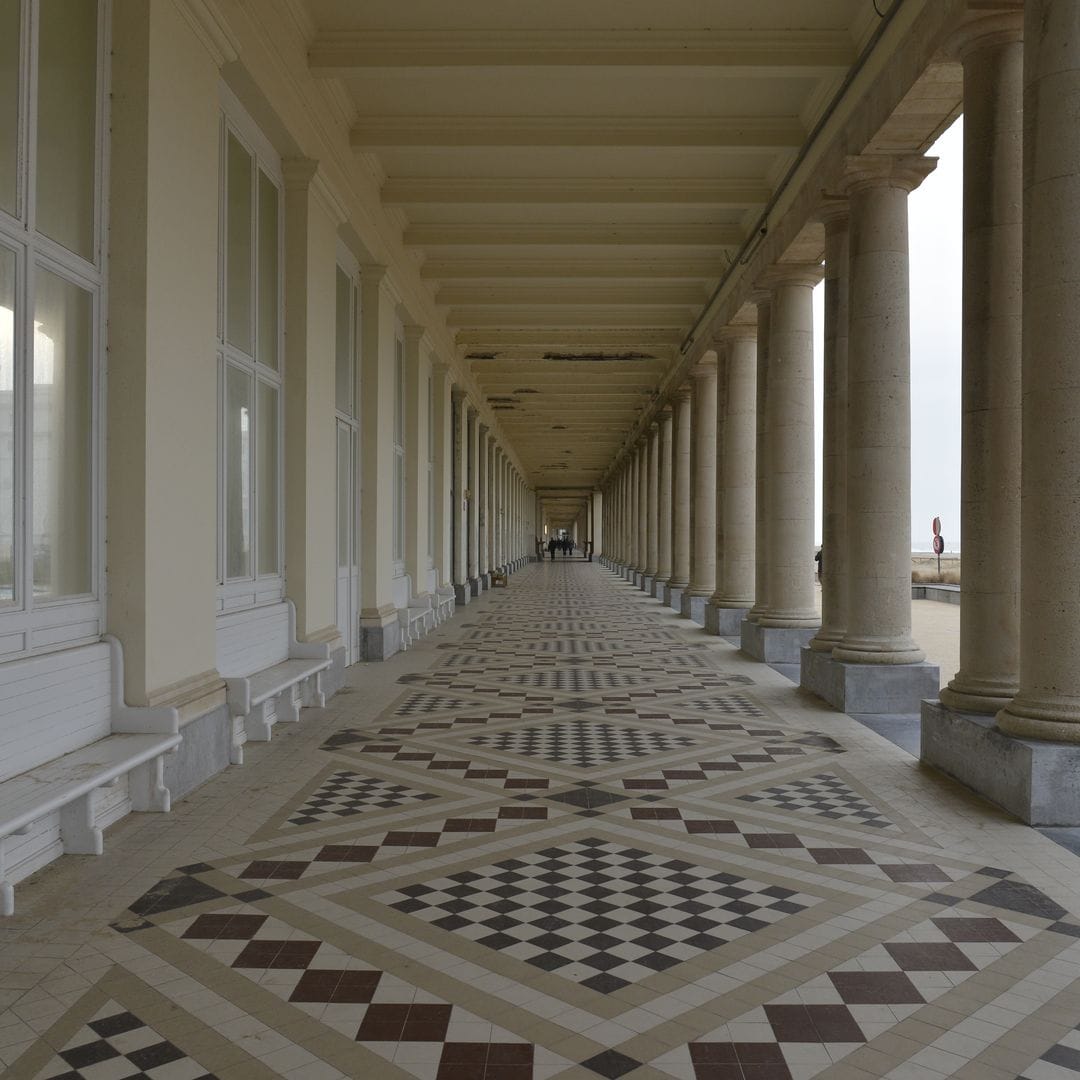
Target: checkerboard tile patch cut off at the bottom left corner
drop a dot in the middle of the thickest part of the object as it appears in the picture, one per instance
(116, 1045)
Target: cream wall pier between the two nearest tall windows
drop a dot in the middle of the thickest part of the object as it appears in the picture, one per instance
(163, 370)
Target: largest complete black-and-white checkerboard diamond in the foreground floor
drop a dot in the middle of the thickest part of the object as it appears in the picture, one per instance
(599, 913)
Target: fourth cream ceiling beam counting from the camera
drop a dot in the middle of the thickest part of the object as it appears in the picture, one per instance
(706, 235)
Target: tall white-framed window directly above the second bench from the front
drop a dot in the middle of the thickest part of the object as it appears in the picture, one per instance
(250, 533)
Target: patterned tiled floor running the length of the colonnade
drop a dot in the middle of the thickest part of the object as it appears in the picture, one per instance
(568, 836)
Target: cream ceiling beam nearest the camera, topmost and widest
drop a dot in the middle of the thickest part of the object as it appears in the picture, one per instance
(754, 53)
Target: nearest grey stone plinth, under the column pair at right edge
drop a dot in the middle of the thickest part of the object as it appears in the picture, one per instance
(1037, 781)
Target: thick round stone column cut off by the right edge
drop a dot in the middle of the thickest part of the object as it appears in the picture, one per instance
(1048, 704)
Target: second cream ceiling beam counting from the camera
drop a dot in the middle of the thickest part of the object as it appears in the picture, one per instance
(722, 133)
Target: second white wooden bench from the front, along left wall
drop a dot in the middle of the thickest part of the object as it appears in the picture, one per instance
(268, 673)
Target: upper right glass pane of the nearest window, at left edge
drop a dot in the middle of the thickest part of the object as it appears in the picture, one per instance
(67, 123)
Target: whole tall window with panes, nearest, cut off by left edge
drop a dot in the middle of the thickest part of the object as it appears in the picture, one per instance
(52, 157)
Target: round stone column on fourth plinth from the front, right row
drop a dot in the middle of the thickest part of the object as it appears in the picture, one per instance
(736, 454)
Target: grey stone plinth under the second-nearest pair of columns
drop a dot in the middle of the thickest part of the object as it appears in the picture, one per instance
(868, 688)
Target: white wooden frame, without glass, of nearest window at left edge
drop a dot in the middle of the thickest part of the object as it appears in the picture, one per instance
(31, 625)
